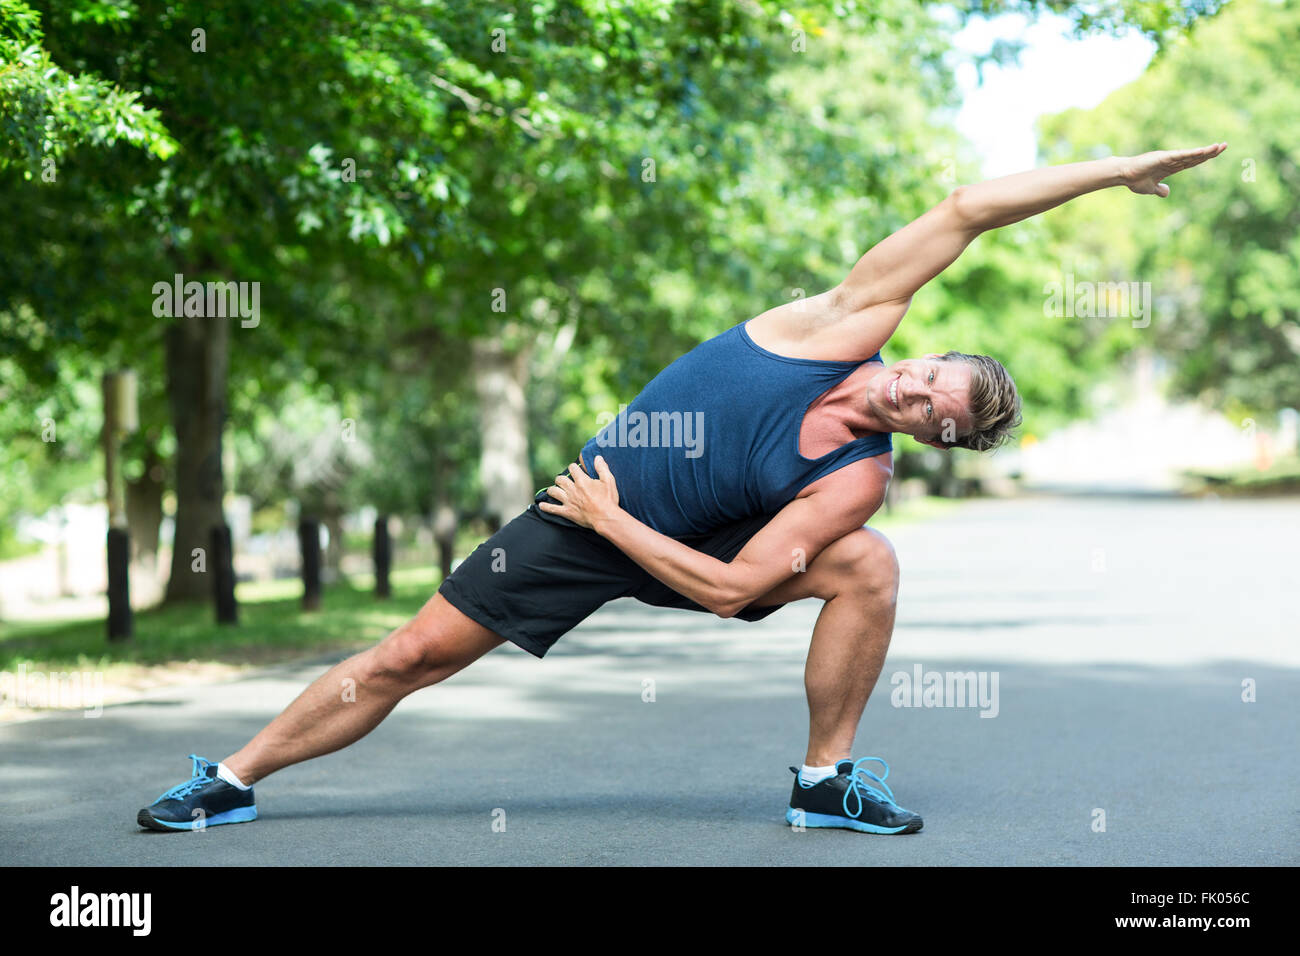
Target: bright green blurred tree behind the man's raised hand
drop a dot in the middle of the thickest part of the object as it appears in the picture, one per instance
(1223, 253)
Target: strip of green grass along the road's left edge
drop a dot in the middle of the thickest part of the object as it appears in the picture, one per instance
(272, 626)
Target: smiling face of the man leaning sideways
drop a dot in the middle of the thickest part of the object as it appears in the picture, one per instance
(928, 399)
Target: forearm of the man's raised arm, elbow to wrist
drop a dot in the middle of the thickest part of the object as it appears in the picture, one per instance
(1013, 198)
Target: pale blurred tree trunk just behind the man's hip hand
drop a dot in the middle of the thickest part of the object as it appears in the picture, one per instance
(501, 380)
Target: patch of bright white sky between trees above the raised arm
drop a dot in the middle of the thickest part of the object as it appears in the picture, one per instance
(1056, 73)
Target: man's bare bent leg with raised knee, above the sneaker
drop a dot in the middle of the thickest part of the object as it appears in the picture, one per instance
(859, 579)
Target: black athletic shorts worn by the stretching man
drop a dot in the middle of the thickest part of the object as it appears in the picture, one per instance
(541, 576)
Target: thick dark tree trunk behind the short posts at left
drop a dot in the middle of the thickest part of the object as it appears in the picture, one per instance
(197, 360)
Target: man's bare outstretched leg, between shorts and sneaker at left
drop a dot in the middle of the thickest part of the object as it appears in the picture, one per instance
(434, 646)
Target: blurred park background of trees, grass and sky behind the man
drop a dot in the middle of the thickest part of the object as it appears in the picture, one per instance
(300, 302)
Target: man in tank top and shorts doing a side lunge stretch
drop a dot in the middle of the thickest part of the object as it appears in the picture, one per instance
(770, 452)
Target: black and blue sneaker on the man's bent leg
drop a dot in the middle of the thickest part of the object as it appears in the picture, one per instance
(850, 802)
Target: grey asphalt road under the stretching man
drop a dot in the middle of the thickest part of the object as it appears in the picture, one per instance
(1121, 633)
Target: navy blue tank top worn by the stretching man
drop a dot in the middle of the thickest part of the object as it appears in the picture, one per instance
(716, 436)
